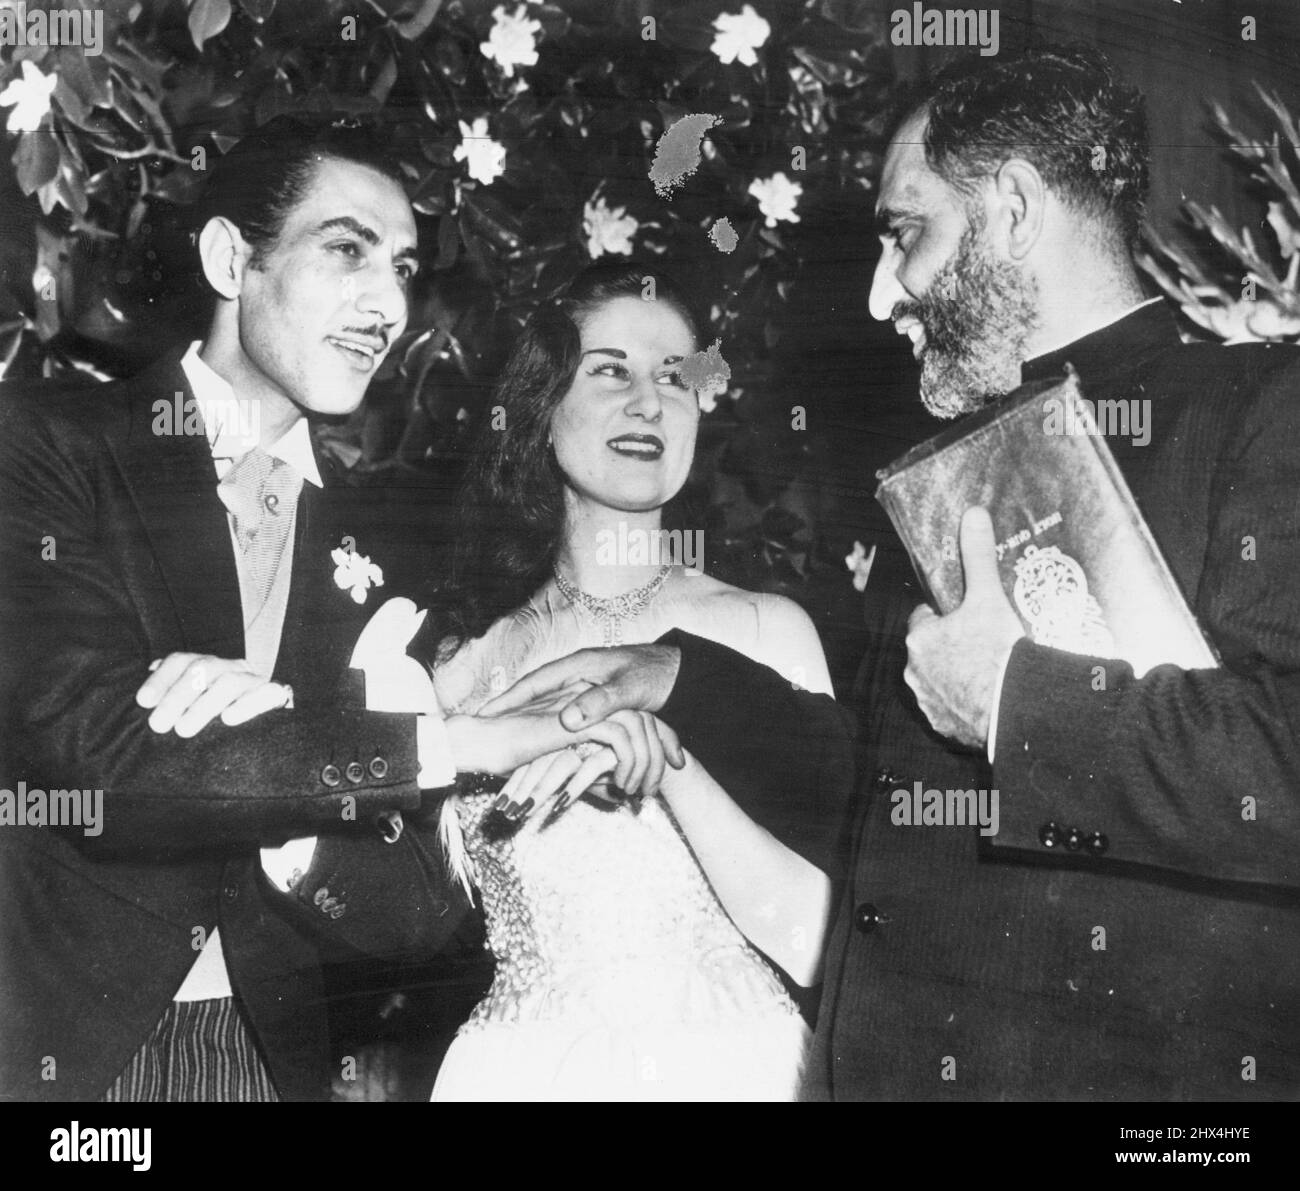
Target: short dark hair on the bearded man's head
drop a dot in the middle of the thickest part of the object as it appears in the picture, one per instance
(1063, 110)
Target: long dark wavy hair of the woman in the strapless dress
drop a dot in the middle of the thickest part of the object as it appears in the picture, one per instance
(510, 513)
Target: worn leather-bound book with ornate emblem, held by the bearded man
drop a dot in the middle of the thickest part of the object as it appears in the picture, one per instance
(1076, 556)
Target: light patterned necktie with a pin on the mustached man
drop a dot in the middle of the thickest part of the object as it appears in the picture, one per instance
(262, 493)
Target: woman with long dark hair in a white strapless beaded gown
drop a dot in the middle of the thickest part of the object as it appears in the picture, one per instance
(625, 913)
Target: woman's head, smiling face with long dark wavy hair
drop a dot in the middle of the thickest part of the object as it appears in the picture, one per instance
(593, 410)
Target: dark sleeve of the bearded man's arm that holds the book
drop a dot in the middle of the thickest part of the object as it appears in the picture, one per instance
(1198, 772)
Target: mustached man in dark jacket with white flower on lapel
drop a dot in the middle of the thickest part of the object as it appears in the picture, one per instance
(159, 932)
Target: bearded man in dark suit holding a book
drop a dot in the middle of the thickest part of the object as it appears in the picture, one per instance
(1133, 930)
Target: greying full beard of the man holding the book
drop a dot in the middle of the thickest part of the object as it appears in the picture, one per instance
(980, 314)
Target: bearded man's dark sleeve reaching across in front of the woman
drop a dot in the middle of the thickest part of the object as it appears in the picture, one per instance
(785, 755)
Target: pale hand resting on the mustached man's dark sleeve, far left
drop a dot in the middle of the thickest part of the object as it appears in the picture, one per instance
(190, 691)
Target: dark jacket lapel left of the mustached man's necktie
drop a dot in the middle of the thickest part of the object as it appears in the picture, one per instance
(171, 478)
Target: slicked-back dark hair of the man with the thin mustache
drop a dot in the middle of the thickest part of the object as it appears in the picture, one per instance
(263, 177)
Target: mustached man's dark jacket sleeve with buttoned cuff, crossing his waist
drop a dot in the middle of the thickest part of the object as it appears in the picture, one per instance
(75, 651)
